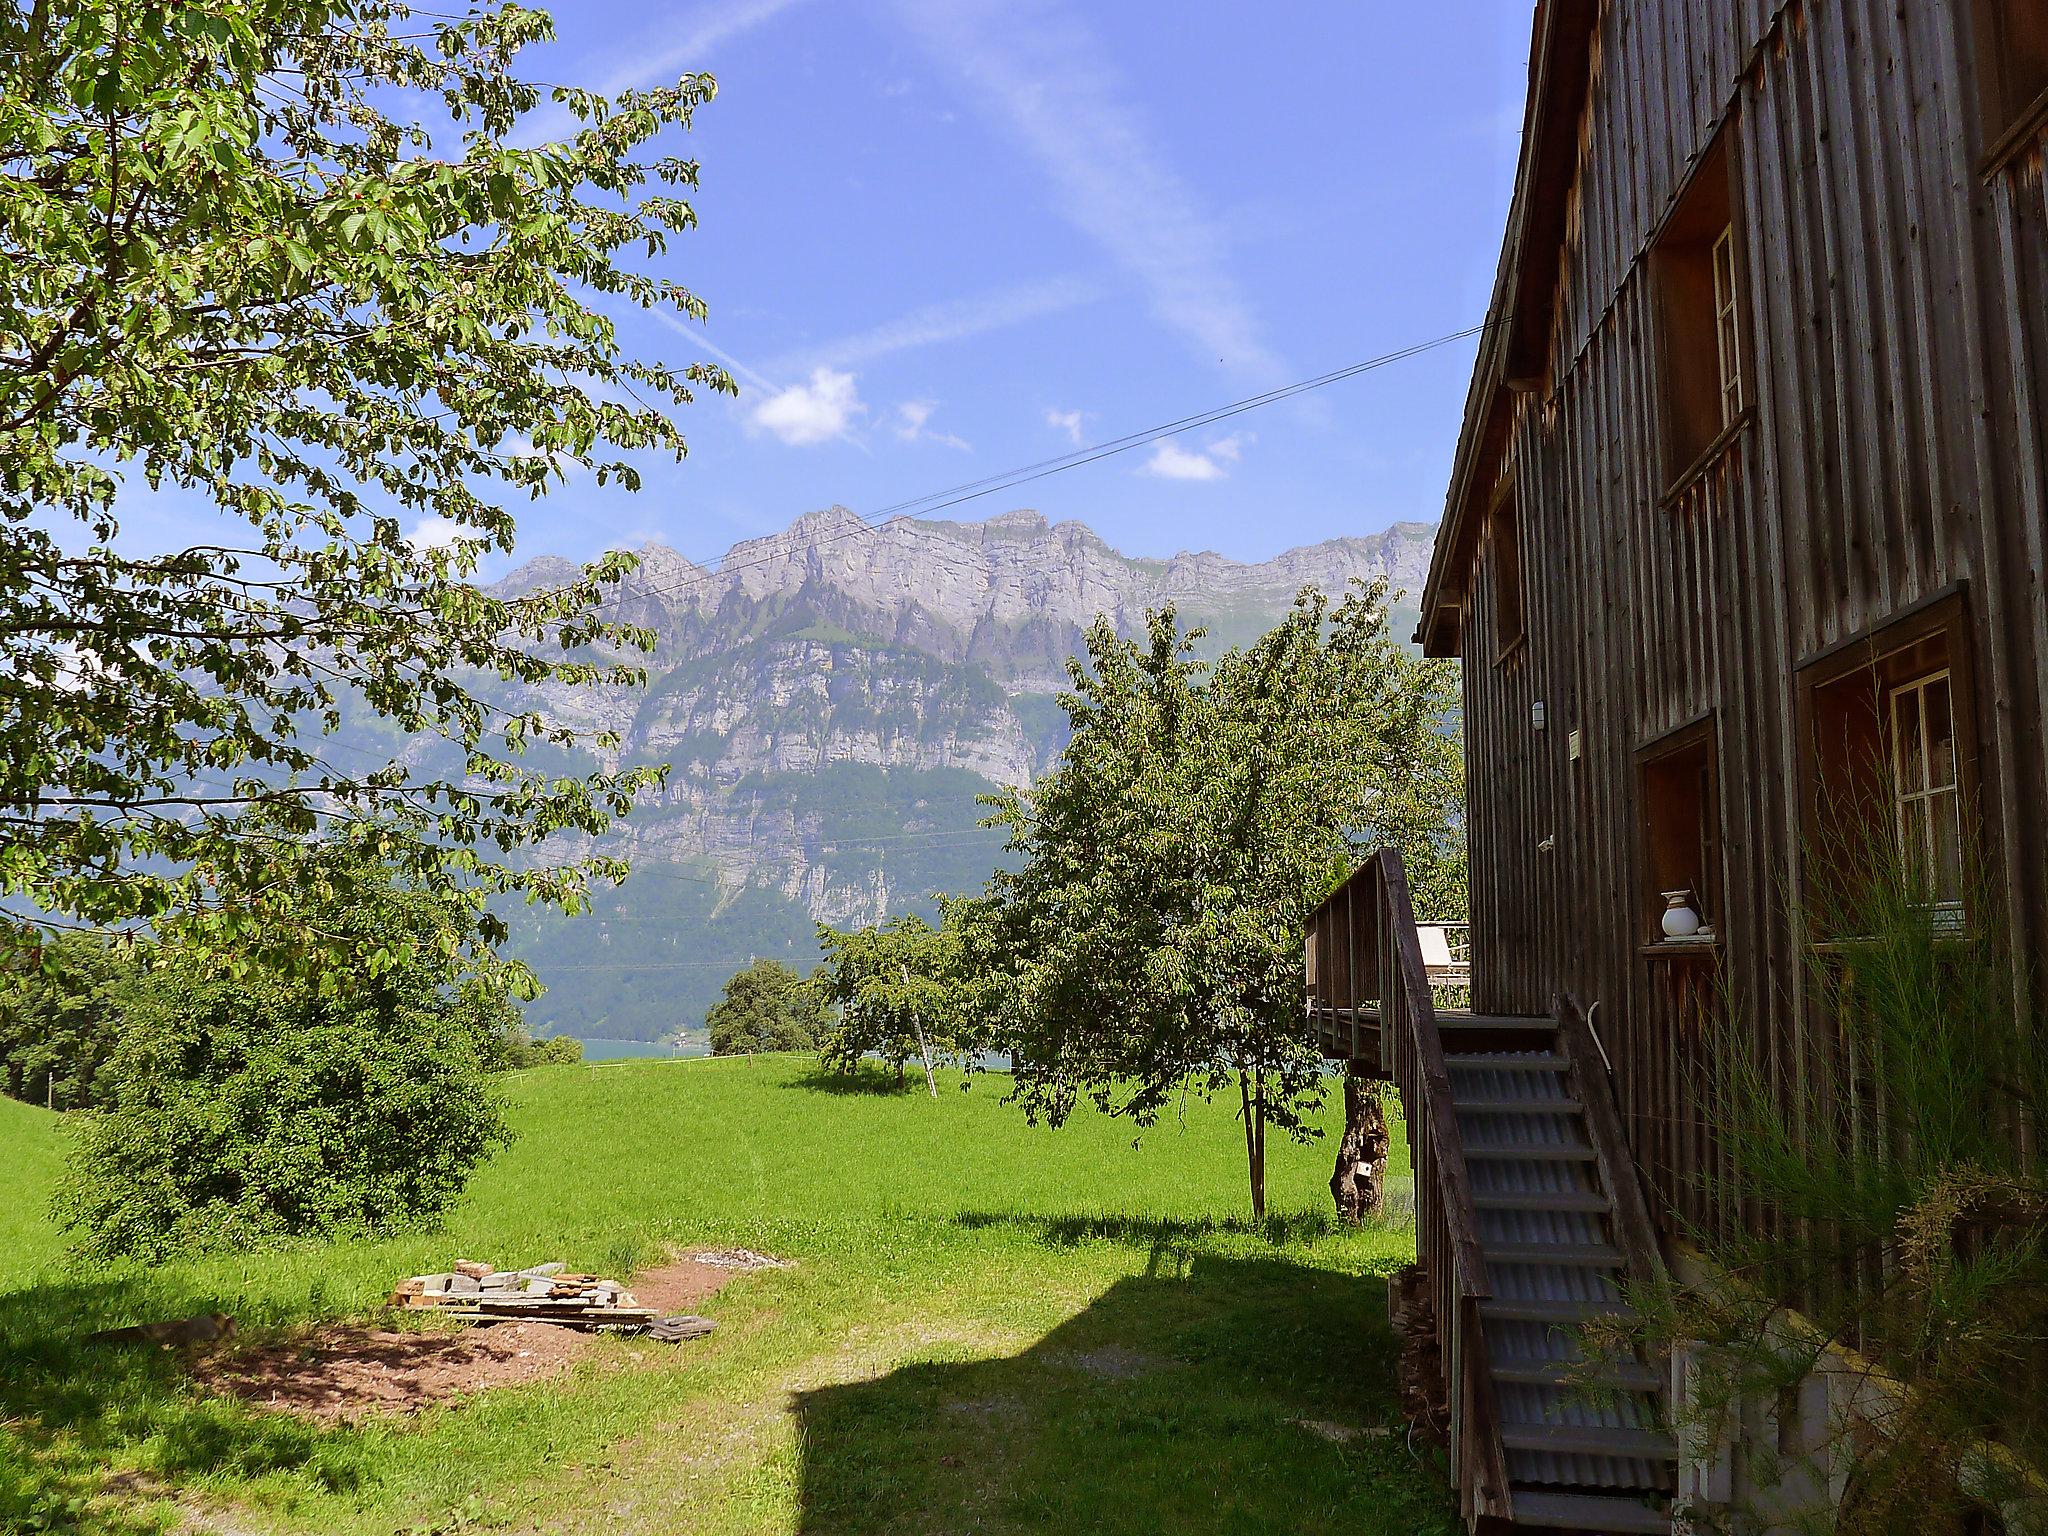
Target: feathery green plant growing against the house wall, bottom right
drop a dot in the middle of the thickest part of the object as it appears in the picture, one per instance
(1900, 1205)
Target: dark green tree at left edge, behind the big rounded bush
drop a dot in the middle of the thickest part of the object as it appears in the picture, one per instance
(60, 1019)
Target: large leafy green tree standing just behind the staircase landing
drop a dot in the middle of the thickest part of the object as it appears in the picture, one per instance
(1150, 941)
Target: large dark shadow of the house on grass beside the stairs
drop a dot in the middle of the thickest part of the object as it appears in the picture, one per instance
(1205, 1396)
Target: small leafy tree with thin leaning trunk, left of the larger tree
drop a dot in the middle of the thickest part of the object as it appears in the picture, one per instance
(904, 994)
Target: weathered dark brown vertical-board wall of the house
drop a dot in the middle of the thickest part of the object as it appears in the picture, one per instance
(1897, 331)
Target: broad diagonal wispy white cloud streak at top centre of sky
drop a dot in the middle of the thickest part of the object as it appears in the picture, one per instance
(1046, 79)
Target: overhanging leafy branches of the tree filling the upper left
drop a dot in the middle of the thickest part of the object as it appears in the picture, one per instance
(234, 273)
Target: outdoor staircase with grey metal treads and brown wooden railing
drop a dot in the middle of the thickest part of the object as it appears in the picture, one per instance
(1529, 1224)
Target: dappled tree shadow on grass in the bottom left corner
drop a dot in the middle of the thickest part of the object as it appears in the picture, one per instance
(95, 1435)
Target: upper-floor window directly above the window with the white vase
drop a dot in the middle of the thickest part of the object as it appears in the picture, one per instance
(1697, 267)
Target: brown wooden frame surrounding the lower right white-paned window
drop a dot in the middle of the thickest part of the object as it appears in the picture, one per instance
(1945, 613)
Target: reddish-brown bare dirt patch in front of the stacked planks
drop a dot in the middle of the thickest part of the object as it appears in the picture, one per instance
(349, 1371)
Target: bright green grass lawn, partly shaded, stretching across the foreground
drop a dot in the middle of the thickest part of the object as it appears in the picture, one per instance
(984, 1328)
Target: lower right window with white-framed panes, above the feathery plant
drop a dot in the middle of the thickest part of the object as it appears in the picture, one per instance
(1889, 744)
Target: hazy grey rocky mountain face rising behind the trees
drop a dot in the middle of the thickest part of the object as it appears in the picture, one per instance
(830, 703)
